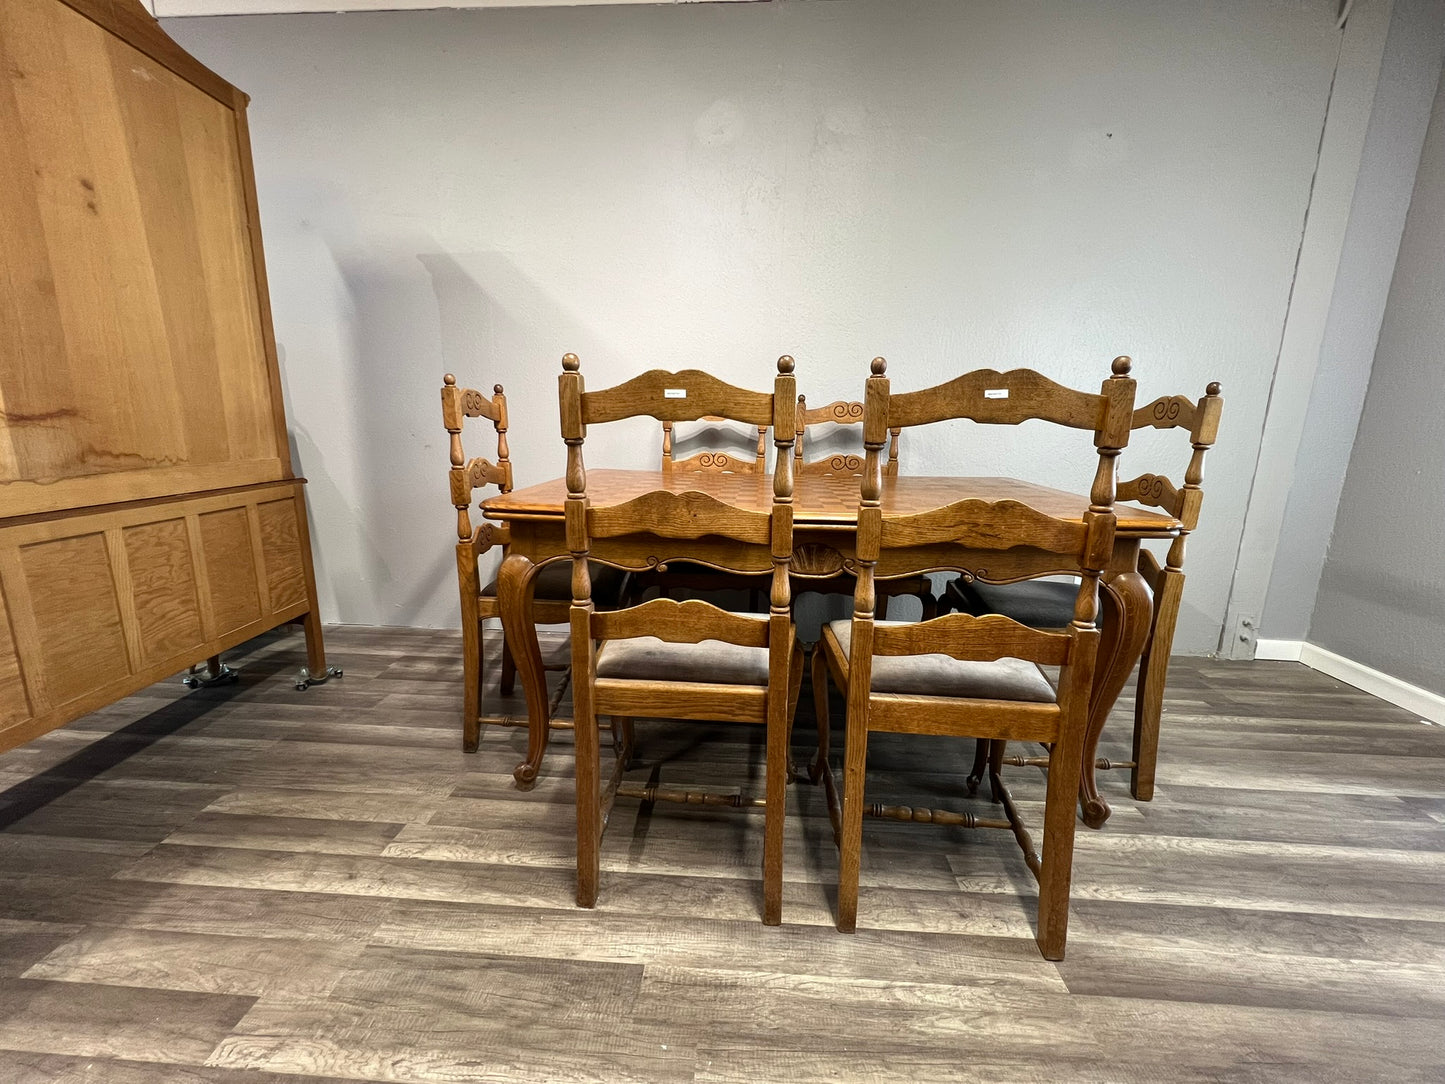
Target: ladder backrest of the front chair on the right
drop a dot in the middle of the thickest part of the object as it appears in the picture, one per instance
(1019, 541)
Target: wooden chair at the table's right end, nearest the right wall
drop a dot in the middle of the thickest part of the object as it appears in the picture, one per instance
(1047, 605)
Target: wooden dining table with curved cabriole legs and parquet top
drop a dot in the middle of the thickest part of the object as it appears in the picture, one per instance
(824, 528)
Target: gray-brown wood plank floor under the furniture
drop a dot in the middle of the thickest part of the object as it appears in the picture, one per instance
(254, 884)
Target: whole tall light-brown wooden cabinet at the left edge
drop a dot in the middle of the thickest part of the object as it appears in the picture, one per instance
(150, 517)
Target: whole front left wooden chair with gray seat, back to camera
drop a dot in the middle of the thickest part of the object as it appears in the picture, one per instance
(678, 660)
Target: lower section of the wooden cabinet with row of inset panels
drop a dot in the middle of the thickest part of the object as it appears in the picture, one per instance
(70, 582)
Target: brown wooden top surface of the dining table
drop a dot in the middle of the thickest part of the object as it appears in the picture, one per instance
(830, 501)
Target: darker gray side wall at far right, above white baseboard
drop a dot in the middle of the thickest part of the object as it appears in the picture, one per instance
(1382, 598)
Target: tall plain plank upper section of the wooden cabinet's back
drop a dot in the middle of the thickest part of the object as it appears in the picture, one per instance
(148, 374)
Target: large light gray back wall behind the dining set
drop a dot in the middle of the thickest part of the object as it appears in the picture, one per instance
(949, 184)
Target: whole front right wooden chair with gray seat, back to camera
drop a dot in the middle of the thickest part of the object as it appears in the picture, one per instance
(965, 676)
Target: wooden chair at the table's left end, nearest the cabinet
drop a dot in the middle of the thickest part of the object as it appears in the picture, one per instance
(479, 602)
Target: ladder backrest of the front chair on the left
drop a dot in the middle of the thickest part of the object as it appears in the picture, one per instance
(639, 533)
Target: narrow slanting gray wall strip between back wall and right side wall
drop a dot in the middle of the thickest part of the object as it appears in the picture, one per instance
(1410, 74)
